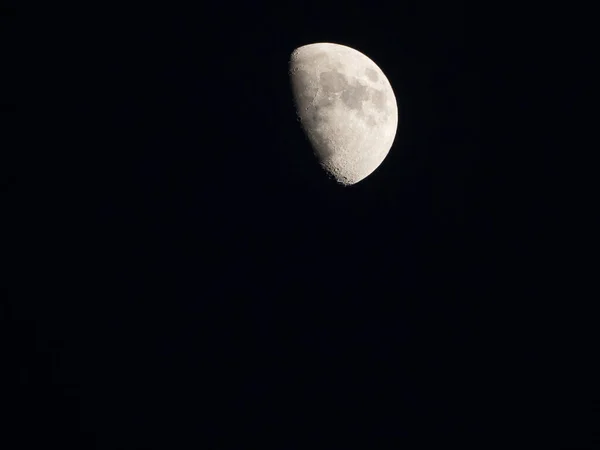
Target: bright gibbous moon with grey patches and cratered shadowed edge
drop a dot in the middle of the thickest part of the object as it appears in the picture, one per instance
(346, 107)
